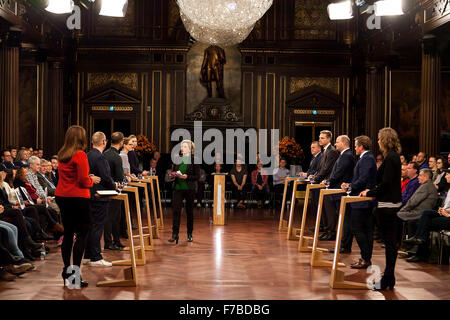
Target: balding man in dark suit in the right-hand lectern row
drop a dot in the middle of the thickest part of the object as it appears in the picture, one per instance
(342, 172)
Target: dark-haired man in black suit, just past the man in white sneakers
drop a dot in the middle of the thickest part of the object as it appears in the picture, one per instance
(112, 225)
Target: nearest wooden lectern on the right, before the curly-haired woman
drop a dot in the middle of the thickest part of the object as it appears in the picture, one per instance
(337, 276)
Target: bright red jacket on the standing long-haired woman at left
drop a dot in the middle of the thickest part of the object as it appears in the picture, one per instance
(74, 180)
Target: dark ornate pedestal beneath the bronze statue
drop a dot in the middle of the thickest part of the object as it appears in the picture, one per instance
(214, 109)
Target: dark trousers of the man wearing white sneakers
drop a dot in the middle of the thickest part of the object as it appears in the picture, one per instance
(99, 211)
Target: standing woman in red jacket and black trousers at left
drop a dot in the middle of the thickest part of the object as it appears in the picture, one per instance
(72, 196)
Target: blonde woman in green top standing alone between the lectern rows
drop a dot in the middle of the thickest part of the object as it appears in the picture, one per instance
(184, 188)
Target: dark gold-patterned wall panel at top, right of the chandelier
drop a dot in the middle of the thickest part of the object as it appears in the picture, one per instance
(312, 22)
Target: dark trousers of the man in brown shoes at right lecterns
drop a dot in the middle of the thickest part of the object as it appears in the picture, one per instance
(362, 228)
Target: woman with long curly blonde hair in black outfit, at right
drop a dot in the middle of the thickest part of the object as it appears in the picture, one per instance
(388, 194)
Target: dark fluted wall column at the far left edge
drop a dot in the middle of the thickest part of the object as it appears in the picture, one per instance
(9, 95)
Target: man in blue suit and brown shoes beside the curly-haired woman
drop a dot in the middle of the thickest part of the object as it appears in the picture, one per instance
(364, 177)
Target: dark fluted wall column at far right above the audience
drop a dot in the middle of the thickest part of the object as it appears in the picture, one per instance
(430, 97)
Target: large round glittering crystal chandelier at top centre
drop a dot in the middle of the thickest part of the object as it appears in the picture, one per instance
(220, 22)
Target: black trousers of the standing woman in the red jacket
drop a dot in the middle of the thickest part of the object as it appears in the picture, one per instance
(76, 218)
